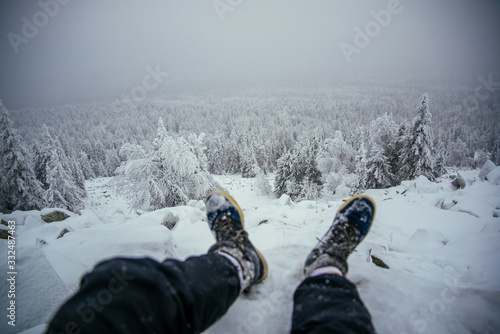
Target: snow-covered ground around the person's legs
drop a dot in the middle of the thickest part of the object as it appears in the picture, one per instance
(441, 246)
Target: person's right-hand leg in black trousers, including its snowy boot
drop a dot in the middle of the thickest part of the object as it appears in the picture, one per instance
(326, 302)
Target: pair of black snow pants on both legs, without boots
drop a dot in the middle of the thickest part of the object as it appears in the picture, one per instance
(145, 296)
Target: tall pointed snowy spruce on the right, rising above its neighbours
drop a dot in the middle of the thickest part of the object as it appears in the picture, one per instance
(416, 155)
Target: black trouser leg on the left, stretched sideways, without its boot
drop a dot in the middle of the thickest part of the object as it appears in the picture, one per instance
(145, 296)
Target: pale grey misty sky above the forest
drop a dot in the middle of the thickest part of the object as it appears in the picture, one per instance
(96, 49)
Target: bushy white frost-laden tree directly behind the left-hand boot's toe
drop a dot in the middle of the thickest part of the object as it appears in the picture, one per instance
(169, 175)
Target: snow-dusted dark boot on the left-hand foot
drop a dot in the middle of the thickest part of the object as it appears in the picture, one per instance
(225, 219)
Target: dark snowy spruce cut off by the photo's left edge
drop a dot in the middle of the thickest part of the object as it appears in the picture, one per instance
(19, 188)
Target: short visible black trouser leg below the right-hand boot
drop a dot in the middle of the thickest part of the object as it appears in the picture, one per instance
(329, 304)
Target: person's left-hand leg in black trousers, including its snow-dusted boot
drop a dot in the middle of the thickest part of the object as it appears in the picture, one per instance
(145, 296)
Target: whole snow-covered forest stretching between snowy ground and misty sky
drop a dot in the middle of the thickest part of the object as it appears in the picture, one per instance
(320, 138)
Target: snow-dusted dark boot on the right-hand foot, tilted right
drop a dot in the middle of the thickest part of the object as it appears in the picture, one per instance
(349, 228)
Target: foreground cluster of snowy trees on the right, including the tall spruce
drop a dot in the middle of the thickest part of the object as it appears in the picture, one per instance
(378, 156)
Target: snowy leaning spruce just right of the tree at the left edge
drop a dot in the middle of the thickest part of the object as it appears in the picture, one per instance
(63, 185)
